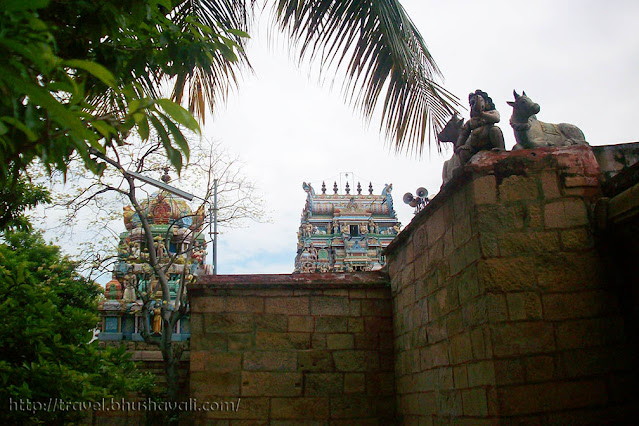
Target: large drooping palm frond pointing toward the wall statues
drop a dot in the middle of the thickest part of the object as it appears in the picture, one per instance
(381, 50)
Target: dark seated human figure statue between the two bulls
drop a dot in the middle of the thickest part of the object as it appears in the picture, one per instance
(479, 133)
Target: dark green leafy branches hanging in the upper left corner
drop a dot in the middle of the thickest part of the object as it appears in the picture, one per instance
(84, 74)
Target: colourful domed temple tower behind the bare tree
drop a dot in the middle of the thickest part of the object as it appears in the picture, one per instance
(174, 227)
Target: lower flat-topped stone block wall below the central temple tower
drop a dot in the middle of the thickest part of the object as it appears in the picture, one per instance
(295, 349)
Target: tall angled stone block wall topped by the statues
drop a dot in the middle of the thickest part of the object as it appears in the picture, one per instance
(503, 308)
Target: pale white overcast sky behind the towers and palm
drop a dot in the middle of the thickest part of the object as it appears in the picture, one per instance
(577, 59)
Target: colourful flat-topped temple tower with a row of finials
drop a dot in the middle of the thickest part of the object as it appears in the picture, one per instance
(345, 232)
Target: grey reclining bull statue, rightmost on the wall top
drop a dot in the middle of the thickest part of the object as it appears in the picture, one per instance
(532, 133)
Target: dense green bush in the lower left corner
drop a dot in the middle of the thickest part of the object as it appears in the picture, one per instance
(48, 315)
